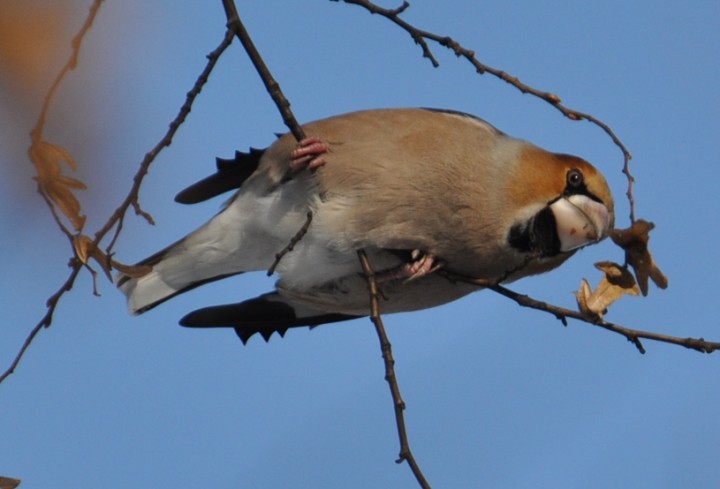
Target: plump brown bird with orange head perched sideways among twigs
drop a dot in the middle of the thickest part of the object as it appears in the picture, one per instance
(421, 191)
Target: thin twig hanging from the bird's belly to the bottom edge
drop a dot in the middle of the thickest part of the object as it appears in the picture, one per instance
(390, 377)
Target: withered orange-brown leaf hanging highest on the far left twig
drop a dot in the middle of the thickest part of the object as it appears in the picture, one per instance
(48, 159)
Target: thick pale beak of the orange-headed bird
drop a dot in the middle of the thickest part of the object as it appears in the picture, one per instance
(580, 221)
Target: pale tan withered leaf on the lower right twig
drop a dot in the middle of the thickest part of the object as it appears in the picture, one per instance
(616, 282)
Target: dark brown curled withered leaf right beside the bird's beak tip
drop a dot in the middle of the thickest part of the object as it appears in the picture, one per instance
(634, 241)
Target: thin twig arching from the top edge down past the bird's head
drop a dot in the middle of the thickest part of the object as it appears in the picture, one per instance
(421, 36)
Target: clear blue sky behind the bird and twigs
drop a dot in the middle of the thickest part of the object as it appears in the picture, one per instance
(497, 396)
